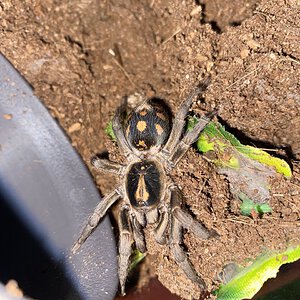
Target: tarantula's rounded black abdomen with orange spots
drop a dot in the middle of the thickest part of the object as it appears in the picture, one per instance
(148, 125)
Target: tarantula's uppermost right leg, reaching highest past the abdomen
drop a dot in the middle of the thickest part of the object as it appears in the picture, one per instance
(179, 120)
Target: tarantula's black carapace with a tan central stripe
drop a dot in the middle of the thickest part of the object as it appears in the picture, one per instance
(143, 184)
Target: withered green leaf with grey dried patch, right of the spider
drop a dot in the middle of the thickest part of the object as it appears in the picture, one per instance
(247, 168)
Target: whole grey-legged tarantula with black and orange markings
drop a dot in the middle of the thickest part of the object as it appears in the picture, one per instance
(152, 146)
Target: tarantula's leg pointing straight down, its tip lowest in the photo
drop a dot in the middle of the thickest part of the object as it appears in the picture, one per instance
(125, 242)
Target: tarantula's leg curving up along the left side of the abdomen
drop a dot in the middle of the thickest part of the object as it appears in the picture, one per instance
(119, 132)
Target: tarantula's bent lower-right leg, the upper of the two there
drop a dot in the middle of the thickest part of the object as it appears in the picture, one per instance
(185, 219)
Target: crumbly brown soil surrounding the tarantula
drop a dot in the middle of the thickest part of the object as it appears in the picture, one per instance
(83, 56)
